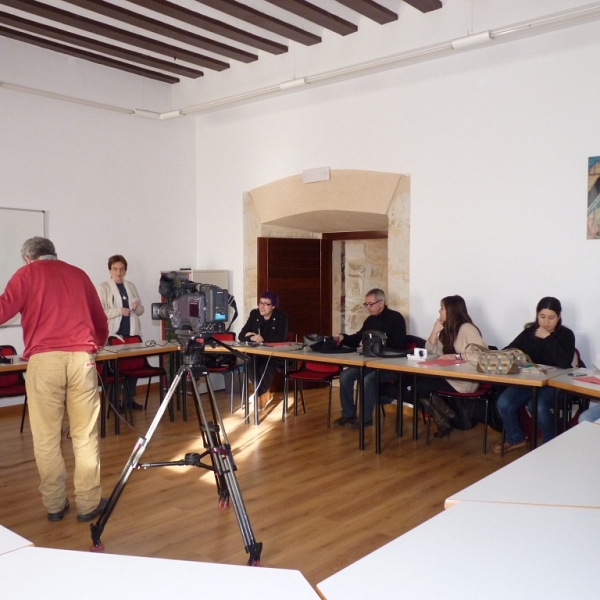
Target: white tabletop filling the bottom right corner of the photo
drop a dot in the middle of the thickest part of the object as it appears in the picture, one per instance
(482, 551)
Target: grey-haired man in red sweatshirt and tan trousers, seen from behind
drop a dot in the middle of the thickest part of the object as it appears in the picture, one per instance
(64, 326)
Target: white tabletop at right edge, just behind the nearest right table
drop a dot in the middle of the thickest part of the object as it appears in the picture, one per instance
(563, 472)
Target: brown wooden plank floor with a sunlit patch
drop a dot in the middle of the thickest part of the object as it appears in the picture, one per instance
(315, 501)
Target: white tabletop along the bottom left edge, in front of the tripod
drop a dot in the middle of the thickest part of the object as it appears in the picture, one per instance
(34, 573)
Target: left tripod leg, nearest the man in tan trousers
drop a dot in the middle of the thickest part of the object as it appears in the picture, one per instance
(132, 463)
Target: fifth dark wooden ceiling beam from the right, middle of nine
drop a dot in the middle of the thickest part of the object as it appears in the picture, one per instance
(208, 24)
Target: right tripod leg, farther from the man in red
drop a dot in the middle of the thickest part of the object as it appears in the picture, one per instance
(225, 468)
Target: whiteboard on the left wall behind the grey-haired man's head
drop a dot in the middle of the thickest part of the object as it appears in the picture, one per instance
(16, 226)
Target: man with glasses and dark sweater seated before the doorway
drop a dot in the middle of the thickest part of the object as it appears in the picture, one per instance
(381, 318)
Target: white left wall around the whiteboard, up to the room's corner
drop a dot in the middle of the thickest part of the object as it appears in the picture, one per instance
(110, 183)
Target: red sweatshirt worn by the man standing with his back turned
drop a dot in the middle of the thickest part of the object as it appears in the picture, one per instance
(59, 306)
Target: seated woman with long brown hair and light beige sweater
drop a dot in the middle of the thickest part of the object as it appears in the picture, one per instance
(452, 332)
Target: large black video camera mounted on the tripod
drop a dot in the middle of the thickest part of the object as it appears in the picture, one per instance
(197, 307)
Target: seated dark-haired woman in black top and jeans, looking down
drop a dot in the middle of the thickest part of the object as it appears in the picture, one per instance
(548, 342)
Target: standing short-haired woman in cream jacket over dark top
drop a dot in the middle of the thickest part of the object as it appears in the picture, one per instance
(123, 308)
